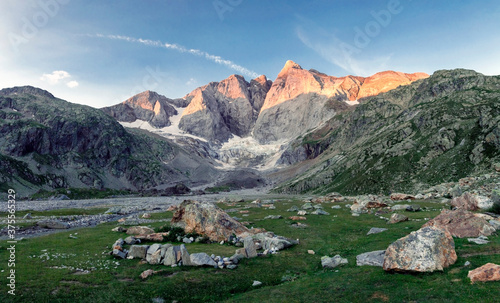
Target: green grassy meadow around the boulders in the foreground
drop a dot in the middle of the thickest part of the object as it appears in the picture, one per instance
(49, 268)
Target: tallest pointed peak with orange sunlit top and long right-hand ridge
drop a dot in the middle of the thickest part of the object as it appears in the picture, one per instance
(298, 99)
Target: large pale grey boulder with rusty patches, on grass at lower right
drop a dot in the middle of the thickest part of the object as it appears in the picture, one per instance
(425, 250)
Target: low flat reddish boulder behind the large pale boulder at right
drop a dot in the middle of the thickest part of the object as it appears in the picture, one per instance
(461, 223)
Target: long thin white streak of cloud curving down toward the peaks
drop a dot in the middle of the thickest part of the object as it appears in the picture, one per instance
(196, 52)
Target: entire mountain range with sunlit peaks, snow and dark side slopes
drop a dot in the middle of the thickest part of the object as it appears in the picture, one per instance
(303, 132)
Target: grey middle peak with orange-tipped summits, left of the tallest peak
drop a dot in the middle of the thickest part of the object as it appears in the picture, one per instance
(220, 109)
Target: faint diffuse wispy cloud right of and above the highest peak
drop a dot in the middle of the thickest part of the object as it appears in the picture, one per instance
(344, 54)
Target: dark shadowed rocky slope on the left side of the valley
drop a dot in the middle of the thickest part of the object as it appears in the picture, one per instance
(47, 142)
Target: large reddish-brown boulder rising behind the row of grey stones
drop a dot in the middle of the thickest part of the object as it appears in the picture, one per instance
(207, 219)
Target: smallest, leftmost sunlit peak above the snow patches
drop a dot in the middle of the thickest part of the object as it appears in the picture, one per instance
(146, 106)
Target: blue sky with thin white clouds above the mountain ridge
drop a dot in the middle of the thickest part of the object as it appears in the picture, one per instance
(100, 53)
